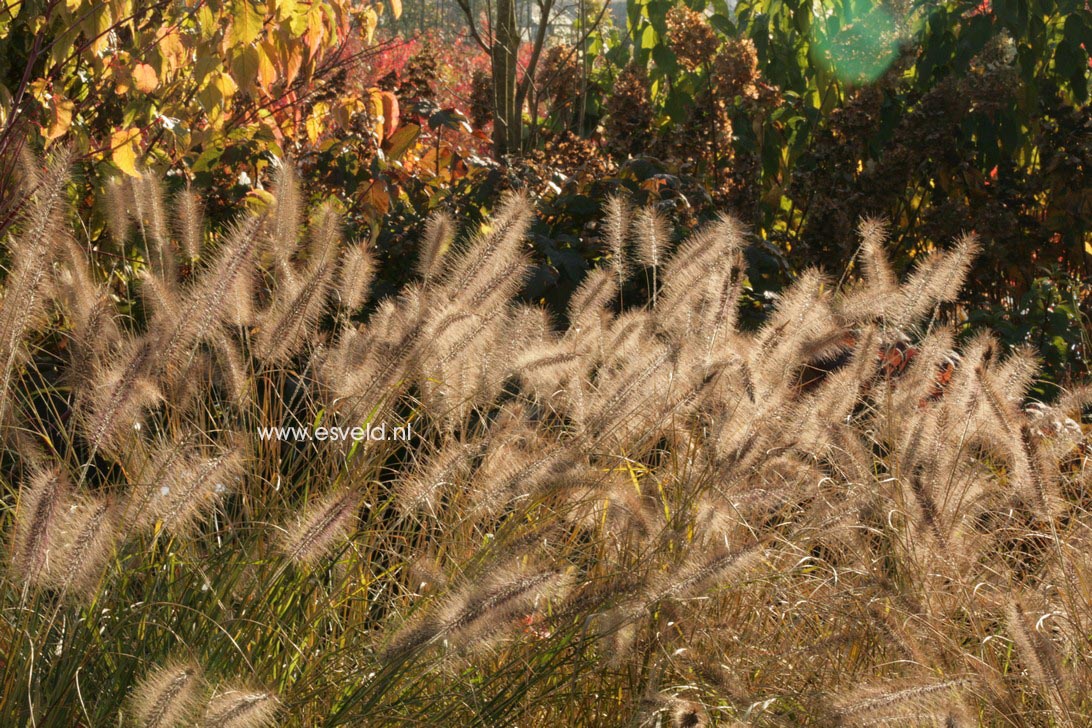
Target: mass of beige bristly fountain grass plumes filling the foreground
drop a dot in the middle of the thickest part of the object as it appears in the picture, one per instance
(646, 514)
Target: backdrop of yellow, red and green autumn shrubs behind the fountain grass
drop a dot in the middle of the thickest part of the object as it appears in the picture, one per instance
(943, 118)
